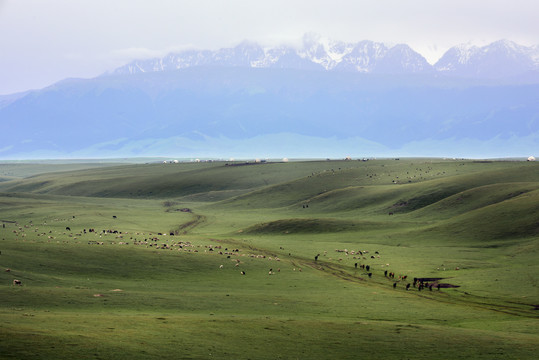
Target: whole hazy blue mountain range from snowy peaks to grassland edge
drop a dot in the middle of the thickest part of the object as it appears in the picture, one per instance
(328, 99)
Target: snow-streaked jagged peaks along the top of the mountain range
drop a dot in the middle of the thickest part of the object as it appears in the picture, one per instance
(500, 59)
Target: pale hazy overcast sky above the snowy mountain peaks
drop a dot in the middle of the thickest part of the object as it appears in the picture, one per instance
(44, 41)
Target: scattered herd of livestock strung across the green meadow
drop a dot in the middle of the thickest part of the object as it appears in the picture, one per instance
(167, 241)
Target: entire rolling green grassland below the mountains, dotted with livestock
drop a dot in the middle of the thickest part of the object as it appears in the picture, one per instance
(164, 279)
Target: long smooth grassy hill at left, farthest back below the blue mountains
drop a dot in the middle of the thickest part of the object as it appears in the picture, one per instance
(165, 180)
